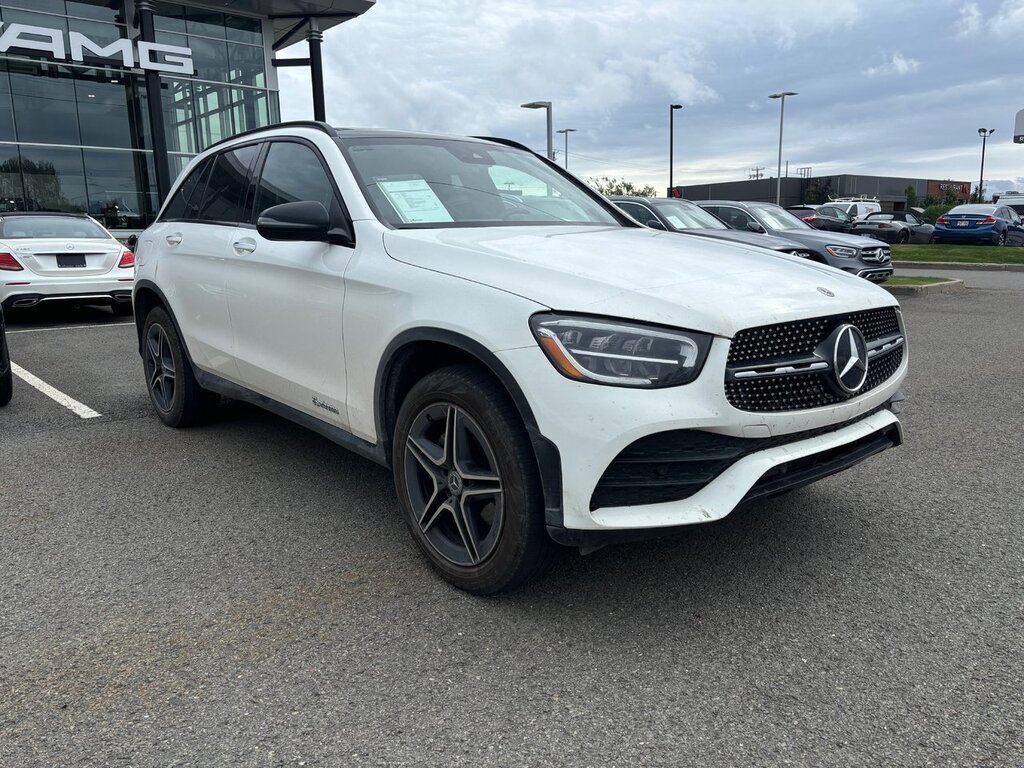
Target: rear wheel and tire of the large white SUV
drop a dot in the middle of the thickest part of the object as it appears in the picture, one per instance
(177, 397)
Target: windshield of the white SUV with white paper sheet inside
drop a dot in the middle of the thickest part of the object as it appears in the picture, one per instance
(433, 183)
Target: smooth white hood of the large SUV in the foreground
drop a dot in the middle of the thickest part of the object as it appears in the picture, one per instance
(638, 274)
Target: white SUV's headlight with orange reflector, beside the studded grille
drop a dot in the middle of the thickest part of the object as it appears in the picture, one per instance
(619, 353)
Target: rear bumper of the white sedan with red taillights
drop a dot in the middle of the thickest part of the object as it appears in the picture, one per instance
(26, 290)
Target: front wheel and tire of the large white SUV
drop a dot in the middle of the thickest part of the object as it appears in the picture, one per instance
(468, 484)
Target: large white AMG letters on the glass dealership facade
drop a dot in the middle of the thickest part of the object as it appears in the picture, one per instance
(46, 40)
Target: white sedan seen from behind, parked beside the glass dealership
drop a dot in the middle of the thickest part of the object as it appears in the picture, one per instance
(63, 258)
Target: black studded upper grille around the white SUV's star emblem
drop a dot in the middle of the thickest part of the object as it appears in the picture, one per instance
(785, 343)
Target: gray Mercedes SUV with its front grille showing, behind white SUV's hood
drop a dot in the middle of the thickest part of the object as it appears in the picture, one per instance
(862, 257)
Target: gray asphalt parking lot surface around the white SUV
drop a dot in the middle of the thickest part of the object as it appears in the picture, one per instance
(246, 594)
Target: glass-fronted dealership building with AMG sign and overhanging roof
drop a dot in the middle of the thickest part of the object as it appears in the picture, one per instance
(103, 103)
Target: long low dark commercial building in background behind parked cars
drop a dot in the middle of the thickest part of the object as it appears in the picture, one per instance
(890, 191)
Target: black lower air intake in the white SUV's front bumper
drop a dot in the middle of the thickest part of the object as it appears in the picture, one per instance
(675, 465)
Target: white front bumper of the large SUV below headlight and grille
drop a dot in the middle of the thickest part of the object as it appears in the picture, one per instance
(591, 425)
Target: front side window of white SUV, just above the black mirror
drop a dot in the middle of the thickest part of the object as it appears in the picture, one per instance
(293, 173)
